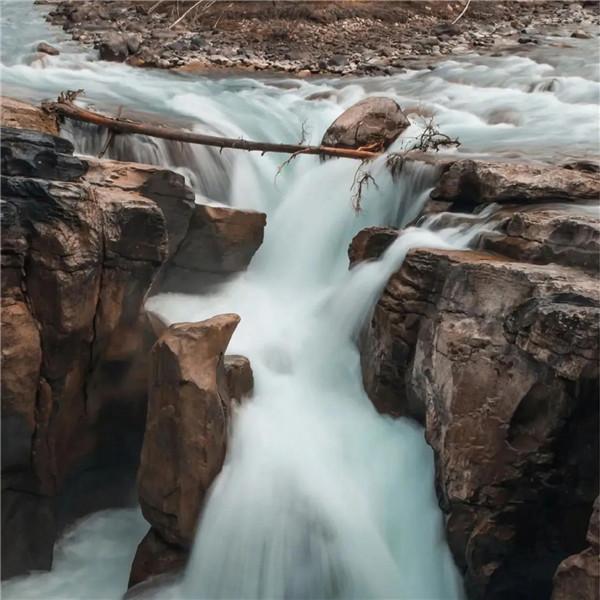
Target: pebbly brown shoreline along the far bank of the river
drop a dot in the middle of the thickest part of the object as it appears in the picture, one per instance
(312, 38)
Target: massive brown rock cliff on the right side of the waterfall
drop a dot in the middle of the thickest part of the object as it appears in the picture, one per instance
(496, 353)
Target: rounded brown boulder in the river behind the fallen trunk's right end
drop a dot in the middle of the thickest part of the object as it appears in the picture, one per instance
(374, 121)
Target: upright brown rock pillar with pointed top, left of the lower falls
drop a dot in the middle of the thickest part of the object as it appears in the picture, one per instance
(187, 424)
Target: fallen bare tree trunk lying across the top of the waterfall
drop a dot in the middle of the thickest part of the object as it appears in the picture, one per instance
(66, 108)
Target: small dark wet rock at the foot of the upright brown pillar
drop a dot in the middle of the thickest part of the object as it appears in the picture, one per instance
(155, 557)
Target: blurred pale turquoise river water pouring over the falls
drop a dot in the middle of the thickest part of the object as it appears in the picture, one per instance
(320, 496)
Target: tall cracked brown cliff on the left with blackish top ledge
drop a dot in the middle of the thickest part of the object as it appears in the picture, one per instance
(77, 263)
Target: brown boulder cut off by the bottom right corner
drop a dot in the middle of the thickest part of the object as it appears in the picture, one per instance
(578, 576)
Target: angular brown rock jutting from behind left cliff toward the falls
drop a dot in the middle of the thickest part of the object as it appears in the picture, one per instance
(219, 242)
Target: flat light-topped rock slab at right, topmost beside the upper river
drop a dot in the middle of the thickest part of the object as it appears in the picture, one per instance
(469, 182)
